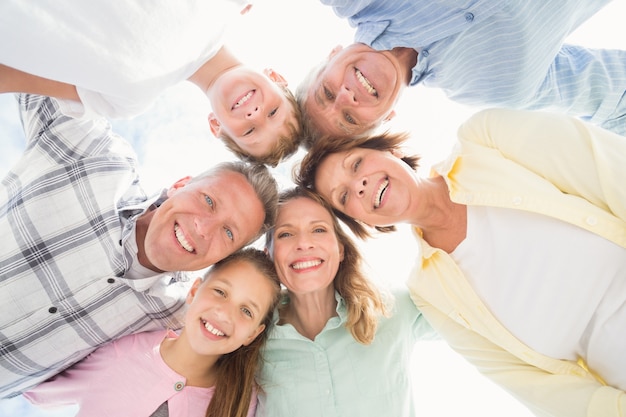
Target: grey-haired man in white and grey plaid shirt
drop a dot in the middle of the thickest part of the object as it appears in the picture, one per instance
(85, 251)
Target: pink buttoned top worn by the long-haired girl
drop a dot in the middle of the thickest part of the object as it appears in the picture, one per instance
(127, 377)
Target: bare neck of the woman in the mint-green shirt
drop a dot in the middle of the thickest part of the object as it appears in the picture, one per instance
(309, 313)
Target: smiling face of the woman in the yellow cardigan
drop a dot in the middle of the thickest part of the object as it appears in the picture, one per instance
(368, 185)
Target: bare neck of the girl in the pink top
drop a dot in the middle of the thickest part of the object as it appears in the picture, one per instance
(198, 370)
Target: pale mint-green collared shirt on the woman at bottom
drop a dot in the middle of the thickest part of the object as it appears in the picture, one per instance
(336, 376)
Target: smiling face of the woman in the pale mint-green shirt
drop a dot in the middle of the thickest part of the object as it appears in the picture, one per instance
(306, 251)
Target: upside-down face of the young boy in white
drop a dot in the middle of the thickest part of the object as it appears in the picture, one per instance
(251, 108)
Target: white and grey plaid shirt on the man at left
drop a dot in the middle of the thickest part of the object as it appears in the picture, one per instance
(67, 210)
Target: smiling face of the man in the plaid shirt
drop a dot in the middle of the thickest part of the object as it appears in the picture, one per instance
(202, 222)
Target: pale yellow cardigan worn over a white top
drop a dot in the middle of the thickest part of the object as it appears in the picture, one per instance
(544, 163)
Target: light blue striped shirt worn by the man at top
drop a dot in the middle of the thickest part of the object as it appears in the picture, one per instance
(506, 53)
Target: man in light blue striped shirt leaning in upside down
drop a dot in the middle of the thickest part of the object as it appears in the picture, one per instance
(484, 53)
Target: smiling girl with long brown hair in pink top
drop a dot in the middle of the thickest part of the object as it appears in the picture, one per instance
(207, 369)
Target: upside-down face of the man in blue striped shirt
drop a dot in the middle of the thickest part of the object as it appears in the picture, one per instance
(355, 92)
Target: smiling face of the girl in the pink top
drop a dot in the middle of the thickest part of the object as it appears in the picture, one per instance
(226, 310)
